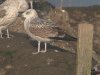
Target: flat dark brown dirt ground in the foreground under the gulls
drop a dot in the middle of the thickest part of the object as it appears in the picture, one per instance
(16, 58)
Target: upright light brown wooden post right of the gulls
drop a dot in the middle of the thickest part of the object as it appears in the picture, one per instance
(84, 49)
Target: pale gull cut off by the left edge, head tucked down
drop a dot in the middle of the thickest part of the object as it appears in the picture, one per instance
(9, 11)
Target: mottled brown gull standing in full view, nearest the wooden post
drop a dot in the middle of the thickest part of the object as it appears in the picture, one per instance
(40, 29)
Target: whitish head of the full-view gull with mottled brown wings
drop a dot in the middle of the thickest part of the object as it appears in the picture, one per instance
(30, 13)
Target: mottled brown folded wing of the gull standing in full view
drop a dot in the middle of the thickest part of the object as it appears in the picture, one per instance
(42, 28)
